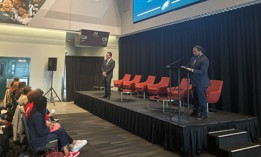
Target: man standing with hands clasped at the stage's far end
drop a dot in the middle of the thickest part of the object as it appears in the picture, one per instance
(107, 73)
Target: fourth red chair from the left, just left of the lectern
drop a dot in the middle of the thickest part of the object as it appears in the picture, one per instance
(159, 88)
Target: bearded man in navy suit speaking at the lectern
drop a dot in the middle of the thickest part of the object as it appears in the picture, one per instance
(198, 67)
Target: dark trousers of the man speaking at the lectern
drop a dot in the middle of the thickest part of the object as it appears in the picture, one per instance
(200, 101)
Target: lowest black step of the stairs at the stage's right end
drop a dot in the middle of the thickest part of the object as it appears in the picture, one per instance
(242, 150)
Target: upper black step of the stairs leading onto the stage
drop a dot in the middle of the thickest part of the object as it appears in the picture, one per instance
(225, 138)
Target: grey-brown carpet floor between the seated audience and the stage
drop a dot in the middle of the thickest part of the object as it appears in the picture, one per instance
(107, 140)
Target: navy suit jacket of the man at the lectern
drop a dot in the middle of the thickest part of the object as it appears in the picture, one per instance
(199, 78)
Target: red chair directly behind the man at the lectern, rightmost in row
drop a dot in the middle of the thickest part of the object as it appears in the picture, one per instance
(214, 91)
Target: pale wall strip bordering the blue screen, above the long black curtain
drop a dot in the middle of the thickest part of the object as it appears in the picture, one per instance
(128, 27)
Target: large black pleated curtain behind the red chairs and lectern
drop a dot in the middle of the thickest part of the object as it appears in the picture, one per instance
(233, 44)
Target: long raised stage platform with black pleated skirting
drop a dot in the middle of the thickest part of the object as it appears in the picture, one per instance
(188, 136)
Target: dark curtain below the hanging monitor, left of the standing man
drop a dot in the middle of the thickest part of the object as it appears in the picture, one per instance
(82, 73)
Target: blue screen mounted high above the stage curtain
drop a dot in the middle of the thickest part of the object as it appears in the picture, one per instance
(145, 9)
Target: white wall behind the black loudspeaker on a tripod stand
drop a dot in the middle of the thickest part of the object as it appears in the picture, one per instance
(39, 45)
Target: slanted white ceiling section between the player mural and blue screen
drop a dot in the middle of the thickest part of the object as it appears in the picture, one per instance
(102, 15)
